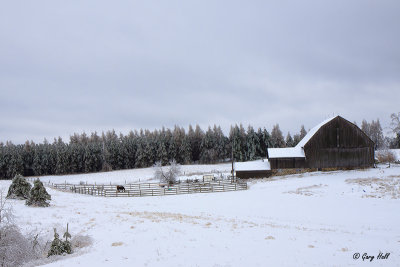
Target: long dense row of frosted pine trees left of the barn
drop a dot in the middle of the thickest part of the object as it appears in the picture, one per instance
(94, 153)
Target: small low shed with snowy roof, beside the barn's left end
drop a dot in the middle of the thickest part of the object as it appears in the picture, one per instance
(252, 169)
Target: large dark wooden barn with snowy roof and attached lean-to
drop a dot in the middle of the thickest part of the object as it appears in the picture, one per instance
(334, 143)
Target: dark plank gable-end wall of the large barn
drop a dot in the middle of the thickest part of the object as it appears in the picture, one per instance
(339, 143)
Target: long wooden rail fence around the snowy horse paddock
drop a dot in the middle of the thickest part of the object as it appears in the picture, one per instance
(151, 189)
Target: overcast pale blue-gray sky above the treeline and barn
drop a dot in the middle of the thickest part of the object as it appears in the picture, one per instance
(74, 66)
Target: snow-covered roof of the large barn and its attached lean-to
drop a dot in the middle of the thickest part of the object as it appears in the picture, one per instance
(298, 150)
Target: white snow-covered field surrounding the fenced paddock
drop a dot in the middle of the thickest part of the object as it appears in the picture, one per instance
(312, 219)
